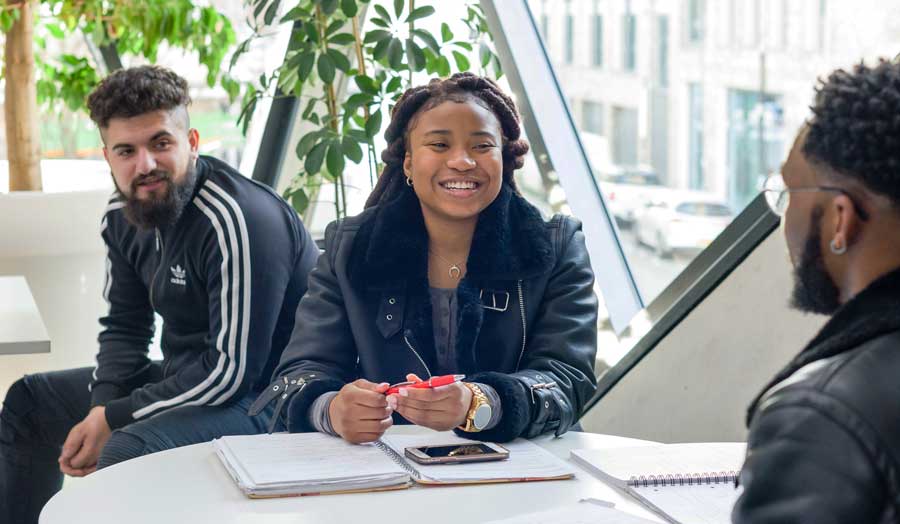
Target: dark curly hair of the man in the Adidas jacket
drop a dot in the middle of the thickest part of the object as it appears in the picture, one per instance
(135, 91)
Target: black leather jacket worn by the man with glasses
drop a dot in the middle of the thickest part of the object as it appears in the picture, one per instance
(824, 443)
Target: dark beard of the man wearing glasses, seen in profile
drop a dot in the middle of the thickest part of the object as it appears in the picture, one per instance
(814, 289)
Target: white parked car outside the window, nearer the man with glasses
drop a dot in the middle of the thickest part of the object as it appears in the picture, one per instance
(685, 221)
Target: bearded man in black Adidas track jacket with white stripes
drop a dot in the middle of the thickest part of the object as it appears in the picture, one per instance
(221, 259)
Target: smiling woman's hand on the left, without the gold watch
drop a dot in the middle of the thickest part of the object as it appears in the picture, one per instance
(360, 412)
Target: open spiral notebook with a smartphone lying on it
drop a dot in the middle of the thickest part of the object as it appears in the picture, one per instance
(284, 464)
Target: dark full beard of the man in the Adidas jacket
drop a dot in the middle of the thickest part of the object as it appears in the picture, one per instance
(161, 212)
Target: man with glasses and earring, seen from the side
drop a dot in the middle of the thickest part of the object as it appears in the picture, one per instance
(824, 442)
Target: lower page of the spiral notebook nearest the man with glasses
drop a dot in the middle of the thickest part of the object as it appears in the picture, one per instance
(698, 504)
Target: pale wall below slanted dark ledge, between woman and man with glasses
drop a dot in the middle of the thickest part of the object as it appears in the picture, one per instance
(697, 383)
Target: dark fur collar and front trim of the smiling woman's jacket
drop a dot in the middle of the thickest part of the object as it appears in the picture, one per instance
(390, 250)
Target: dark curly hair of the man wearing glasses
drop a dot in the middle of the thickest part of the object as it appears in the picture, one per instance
(855, 128)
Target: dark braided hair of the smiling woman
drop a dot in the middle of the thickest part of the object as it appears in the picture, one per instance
(459, 88)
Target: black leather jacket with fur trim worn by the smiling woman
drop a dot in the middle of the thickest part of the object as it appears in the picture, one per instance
(527, 318)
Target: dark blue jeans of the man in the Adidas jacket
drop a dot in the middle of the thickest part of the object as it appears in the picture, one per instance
(41, 409)
